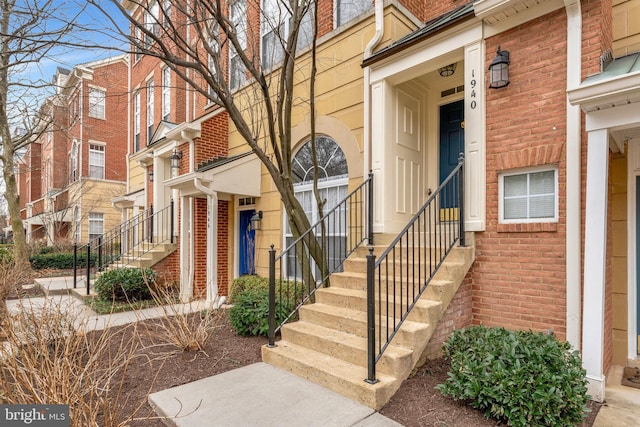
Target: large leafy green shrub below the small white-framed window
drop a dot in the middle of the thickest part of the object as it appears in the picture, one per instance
(523, 377)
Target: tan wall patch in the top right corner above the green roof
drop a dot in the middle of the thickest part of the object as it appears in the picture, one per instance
(626, 27)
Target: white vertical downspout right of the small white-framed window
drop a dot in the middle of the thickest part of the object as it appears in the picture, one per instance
(573, 191)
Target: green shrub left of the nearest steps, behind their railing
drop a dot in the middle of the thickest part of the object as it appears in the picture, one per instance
(250, 312)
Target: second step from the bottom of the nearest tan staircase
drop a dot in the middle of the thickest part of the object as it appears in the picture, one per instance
(347, 347)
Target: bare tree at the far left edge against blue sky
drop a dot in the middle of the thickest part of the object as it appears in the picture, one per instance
(29, 31)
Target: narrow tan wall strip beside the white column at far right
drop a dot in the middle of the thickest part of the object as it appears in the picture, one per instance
(618, 168)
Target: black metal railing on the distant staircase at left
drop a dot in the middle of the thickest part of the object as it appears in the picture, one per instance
(125, 243)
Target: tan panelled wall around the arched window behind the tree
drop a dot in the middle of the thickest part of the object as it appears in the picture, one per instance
(340, 114)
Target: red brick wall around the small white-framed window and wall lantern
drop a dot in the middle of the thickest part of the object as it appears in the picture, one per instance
(518, 279)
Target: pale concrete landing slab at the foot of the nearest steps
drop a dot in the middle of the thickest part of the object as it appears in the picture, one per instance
(261, 395)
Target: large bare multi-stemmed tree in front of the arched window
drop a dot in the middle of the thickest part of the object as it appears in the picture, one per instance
(201, 39)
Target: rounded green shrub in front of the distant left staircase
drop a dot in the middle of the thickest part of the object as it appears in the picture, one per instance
(125, 284)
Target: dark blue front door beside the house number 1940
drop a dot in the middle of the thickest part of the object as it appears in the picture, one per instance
(451, 144)
